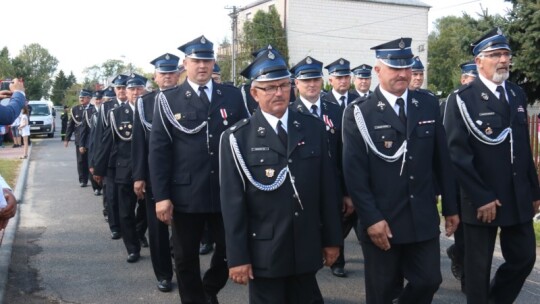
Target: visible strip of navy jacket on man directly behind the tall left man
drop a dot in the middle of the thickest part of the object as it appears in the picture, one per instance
(141, 137)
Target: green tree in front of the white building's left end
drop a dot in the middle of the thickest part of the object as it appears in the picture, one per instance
(265, 29)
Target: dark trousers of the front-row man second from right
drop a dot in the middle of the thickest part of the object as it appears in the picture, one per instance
(419, 263)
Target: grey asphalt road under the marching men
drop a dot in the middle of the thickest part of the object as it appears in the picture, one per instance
(63, 252)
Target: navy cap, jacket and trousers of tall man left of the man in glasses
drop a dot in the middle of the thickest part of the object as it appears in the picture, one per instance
(184, 168)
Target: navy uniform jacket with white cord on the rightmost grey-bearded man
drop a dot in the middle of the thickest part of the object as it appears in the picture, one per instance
(485, 172)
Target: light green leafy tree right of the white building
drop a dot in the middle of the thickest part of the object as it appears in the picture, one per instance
(449, 46)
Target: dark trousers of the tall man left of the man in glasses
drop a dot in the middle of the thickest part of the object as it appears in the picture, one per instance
(186, 235)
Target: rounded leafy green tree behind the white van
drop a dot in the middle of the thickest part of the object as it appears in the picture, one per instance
(37, 67)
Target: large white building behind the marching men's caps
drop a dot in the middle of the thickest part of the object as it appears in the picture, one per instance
(330, 29)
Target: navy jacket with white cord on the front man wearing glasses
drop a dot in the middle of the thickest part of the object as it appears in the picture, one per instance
(269, 229)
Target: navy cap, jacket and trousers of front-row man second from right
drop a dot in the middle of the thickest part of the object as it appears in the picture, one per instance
(391, 182)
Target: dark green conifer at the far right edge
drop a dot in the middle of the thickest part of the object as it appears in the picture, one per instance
(523, 32)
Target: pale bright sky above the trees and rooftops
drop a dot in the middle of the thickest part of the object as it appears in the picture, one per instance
(84, 33)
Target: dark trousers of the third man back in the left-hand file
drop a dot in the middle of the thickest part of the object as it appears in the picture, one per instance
(127, 202)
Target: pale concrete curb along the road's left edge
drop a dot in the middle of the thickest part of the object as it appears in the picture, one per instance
(11, 229)
